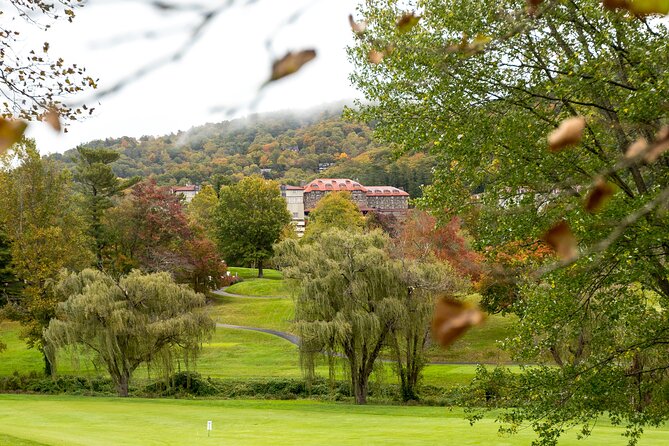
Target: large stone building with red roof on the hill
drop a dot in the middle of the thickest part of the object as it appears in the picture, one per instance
(384, 199)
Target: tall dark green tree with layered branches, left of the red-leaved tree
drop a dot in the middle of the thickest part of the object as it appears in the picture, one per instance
(100, 185)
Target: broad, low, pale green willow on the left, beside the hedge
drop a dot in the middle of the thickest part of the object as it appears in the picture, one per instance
(138, 319)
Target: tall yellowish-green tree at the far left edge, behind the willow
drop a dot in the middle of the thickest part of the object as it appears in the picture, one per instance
(46, 232)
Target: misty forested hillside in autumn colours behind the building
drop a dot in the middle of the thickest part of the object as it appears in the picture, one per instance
(290, 147)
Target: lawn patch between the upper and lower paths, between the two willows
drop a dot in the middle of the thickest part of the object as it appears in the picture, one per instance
(277, 314)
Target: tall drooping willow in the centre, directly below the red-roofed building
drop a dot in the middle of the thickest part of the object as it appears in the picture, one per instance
(347, 305)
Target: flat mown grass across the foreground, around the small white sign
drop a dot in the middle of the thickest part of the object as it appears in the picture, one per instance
(63, 420)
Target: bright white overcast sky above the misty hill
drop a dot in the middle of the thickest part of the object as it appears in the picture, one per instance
(224, 69)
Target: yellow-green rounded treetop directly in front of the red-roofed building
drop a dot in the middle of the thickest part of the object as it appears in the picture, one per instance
(335, 210)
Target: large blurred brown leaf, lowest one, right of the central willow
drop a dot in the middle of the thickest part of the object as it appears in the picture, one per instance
(452, 319)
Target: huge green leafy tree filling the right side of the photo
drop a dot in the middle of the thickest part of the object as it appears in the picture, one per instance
(481, 84)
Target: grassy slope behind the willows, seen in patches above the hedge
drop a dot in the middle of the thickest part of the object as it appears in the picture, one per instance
(245, 354)
